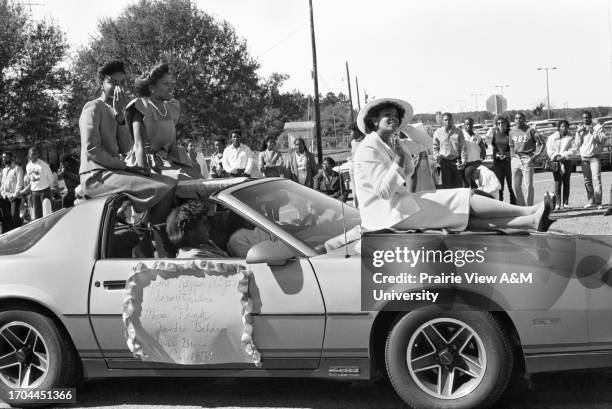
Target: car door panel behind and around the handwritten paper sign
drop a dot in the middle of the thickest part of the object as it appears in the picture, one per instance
(288, 310)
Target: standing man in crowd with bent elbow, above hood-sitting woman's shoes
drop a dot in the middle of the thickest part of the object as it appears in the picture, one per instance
(525, 146)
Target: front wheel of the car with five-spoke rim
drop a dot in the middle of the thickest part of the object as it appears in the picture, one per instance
(448, 359)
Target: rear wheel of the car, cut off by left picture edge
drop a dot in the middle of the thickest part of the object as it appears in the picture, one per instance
(34, 341)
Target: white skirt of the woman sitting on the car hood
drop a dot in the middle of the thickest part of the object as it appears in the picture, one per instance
(442, 209)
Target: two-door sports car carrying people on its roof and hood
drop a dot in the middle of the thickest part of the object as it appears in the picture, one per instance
(64, 280)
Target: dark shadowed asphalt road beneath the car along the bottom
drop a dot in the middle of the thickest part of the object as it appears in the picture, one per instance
(568, 390)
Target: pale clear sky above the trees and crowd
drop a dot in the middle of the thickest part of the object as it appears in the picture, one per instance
(435, 54)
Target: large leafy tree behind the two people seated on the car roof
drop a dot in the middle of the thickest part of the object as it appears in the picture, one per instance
(214, 77)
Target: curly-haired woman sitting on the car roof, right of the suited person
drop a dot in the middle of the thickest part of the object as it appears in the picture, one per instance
(152, 119)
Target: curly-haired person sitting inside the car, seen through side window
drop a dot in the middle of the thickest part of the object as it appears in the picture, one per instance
(188, 229)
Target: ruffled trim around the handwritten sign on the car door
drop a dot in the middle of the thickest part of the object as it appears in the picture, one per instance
(144, 275)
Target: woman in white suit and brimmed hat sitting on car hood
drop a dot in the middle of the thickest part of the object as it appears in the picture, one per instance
(383, 176)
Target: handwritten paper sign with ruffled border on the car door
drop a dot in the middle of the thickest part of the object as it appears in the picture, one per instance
(191, 313)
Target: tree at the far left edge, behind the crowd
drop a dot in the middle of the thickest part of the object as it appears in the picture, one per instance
(33, 86)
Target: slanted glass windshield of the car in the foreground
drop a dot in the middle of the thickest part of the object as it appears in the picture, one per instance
(308, 215)
